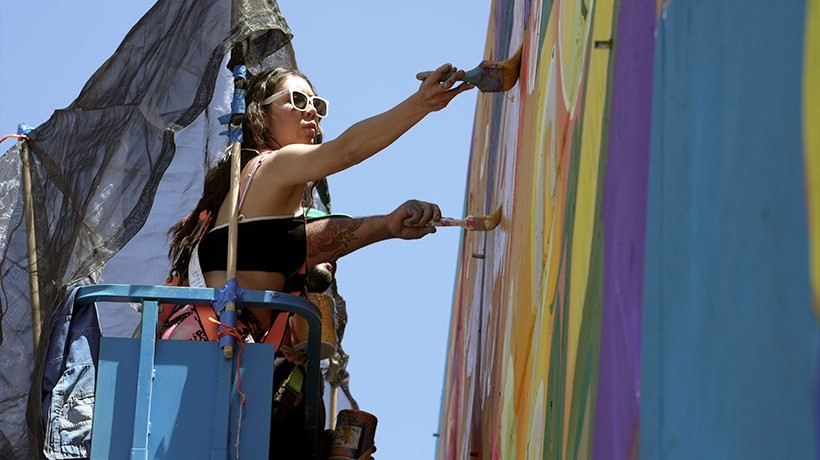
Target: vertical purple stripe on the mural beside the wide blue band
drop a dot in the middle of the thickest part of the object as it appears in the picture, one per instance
(624, 217)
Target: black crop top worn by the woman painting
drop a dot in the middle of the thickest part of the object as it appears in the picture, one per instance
(266, 244)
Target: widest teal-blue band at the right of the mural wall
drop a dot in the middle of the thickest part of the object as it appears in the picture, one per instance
(729, 341)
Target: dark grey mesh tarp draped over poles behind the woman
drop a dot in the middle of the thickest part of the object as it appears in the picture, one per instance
(99, 164)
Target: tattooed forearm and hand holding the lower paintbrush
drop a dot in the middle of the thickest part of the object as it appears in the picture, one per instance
(329, 239)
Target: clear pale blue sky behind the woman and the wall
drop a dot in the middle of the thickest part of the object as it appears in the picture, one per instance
(362, 56)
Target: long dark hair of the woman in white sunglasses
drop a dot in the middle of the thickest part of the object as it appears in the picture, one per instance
(217, 179)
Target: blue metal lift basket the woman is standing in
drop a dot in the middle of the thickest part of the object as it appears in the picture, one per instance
(167, 399)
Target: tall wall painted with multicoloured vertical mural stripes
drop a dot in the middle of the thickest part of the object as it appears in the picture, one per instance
(649, 290)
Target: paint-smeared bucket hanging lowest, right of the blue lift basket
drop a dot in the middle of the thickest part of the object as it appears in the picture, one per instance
(354, 435)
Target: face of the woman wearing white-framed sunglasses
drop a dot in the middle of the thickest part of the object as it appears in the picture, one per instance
(288, 125)
